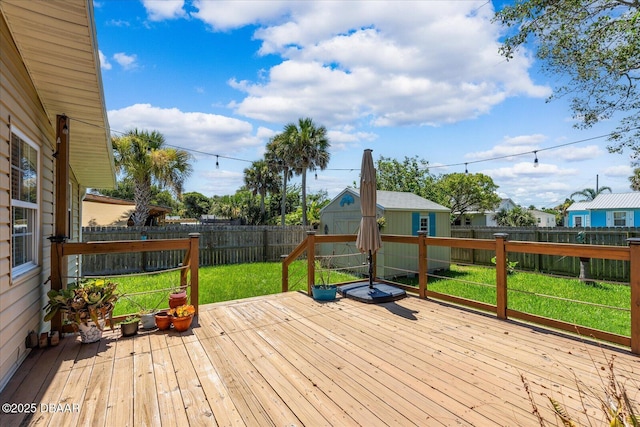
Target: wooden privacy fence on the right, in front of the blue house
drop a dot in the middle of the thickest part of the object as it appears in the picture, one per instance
(599, 268)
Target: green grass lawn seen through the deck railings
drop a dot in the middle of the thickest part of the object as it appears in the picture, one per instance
(528, 292)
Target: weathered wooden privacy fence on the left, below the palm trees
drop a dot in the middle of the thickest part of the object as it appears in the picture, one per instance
(219, 245)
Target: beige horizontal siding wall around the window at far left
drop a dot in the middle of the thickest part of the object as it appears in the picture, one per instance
(21, 297)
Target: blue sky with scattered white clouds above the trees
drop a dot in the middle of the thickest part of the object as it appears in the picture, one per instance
(419, 78)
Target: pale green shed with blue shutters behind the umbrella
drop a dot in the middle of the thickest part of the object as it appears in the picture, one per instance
(404, 214)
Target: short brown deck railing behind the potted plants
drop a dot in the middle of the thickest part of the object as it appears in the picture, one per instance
(188, 273)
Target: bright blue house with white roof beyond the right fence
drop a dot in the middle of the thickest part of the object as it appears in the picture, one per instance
(606, 210)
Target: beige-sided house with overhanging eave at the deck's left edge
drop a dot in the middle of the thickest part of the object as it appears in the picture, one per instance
(51, 99)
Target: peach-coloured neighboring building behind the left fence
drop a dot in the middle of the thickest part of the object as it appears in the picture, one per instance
(106, 211)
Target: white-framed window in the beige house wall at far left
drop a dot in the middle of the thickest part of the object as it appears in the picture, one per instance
(34, 208)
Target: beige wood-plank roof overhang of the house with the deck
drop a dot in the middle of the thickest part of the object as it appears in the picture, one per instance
(58, 45)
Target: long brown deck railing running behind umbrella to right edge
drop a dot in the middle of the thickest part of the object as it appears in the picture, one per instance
(500, 245)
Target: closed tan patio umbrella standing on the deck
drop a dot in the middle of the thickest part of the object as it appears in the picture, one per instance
(368, 240)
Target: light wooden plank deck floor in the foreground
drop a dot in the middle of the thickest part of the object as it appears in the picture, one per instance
(286, 360)
